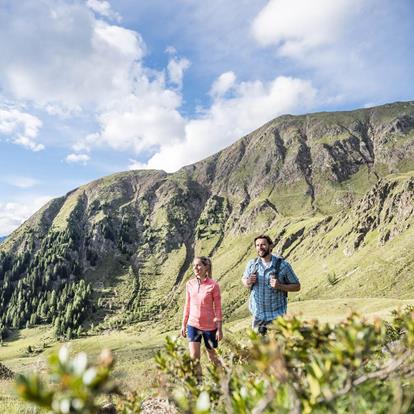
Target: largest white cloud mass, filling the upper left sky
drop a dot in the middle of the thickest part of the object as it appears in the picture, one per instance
(93, 65)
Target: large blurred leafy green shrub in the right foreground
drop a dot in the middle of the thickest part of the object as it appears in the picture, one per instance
(303, 367)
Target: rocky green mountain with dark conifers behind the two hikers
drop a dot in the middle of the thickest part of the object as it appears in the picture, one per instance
(335, 190)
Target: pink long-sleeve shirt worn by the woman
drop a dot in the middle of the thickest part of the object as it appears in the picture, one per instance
(203, 304)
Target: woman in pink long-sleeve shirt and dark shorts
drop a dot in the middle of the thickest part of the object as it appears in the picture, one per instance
(202, 317)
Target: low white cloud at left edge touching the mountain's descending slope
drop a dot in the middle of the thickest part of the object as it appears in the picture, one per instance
(14, 213)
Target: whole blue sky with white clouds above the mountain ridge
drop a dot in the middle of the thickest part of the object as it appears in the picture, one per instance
(89, 88)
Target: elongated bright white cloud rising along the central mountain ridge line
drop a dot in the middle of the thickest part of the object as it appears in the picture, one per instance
(253, 104)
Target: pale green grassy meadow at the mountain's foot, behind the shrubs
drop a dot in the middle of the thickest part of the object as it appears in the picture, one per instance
(134, 350)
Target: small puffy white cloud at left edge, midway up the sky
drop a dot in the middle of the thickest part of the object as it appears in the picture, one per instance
(21, 127)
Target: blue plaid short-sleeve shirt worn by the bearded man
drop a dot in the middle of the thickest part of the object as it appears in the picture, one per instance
(266, 303)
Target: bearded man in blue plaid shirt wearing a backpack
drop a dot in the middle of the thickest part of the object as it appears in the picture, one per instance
(269, 278)
